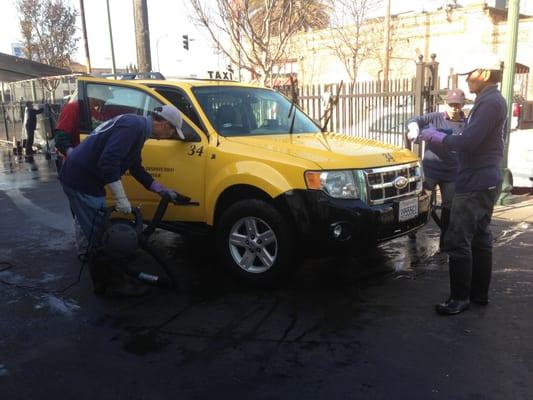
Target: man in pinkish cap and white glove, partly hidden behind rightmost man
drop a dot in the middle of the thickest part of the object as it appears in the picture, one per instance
(440, 166)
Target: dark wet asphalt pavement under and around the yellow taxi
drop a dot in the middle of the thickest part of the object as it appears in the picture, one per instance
(341, 328)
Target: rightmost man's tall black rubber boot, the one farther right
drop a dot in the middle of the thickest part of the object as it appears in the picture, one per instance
(481, 275)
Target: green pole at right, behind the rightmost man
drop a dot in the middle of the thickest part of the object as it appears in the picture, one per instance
(507, 92)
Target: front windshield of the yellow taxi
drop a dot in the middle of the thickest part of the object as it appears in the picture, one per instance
(241, 111)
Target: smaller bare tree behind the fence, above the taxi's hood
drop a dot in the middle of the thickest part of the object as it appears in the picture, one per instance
(350, 42)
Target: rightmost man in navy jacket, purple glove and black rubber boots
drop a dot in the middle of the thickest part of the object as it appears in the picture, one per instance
(480, 152)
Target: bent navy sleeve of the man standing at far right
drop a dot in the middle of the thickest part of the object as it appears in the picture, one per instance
(475, 132)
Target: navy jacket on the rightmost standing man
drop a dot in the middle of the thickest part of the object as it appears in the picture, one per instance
(480, 147)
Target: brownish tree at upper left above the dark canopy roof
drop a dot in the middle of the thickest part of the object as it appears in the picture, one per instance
(48, 28)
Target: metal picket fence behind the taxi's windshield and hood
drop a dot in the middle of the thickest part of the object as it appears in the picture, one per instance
(373, 110)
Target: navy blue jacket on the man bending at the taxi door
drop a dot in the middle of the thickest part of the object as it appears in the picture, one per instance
(106, 154)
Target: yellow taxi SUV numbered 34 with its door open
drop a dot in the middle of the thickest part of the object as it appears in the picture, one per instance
(268, 183)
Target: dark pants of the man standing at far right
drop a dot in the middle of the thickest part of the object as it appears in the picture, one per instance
(469, 244)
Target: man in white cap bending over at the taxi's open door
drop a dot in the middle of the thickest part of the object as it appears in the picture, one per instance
(113, 148)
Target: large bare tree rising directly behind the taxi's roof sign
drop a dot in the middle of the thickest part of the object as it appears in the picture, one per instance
(254, 34)
